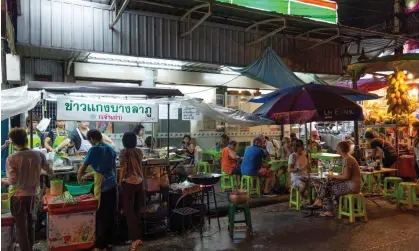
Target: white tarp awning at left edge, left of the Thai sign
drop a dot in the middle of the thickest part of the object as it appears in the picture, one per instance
(18, 100)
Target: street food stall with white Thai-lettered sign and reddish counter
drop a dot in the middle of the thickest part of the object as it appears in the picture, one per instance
(77, 102)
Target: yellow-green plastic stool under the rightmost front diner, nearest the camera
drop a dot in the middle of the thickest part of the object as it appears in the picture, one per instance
(352, 205)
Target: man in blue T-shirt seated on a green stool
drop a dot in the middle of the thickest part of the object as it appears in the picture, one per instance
(252, 164)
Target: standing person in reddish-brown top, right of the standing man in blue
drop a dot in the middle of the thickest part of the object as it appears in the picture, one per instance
(131, 179)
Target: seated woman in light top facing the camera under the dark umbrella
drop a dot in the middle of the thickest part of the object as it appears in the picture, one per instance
(298, 166)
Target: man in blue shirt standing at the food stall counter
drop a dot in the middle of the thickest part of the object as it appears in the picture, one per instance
(101, 157)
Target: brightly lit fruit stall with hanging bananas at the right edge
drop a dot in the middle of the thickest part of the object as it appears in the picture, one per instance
(391, 117)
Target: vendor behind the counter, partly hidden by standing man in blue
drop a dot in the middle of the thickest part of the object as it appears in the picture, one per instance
(79, 138)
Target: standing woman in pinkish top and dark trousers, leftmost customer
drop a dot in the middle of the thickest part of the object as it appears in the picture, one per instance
(23, 170)
